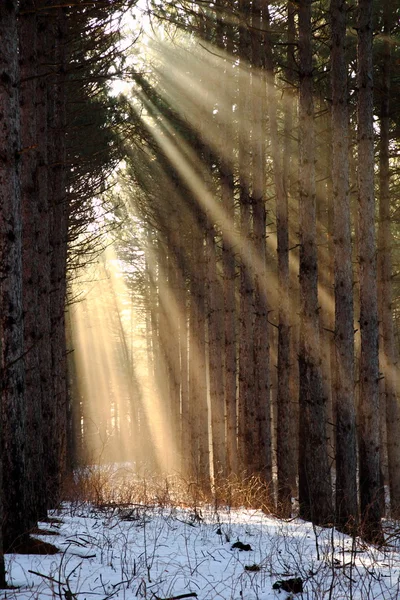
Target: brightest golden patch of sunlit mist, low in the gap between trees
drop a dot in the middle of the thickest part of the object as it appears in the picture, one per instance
(122, 415)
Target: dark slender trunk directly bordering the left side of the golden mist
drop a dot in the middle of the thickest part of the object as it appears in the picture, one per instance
(58, 235)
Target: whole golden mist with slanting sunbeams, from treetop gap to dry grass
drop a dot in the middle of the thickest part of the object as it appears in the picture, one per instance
(141, 351)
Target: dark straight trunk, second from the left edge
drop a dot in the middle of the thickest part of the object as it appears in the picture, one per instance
(30, 258)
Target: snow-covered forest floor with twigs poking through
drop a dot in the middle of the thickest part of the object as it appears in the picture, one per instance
(148, 552)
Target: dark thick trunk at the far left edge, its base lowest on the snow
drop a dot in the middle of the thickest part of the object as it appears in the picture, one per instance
(15, 520)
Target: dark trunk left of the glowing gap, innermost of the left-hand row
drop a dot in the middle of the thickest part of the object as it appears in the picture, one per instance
(53, 276)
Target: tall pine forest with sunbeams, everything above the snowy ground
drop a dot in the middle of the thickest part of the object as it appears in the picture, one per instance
(198, 275)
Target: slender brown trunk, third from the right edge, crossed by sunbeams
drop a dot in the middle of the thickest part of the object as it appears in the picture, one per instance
(346, 450)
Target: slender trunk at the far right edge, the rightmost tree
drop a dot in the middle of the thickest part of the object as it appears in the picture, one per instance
(389, 355)
